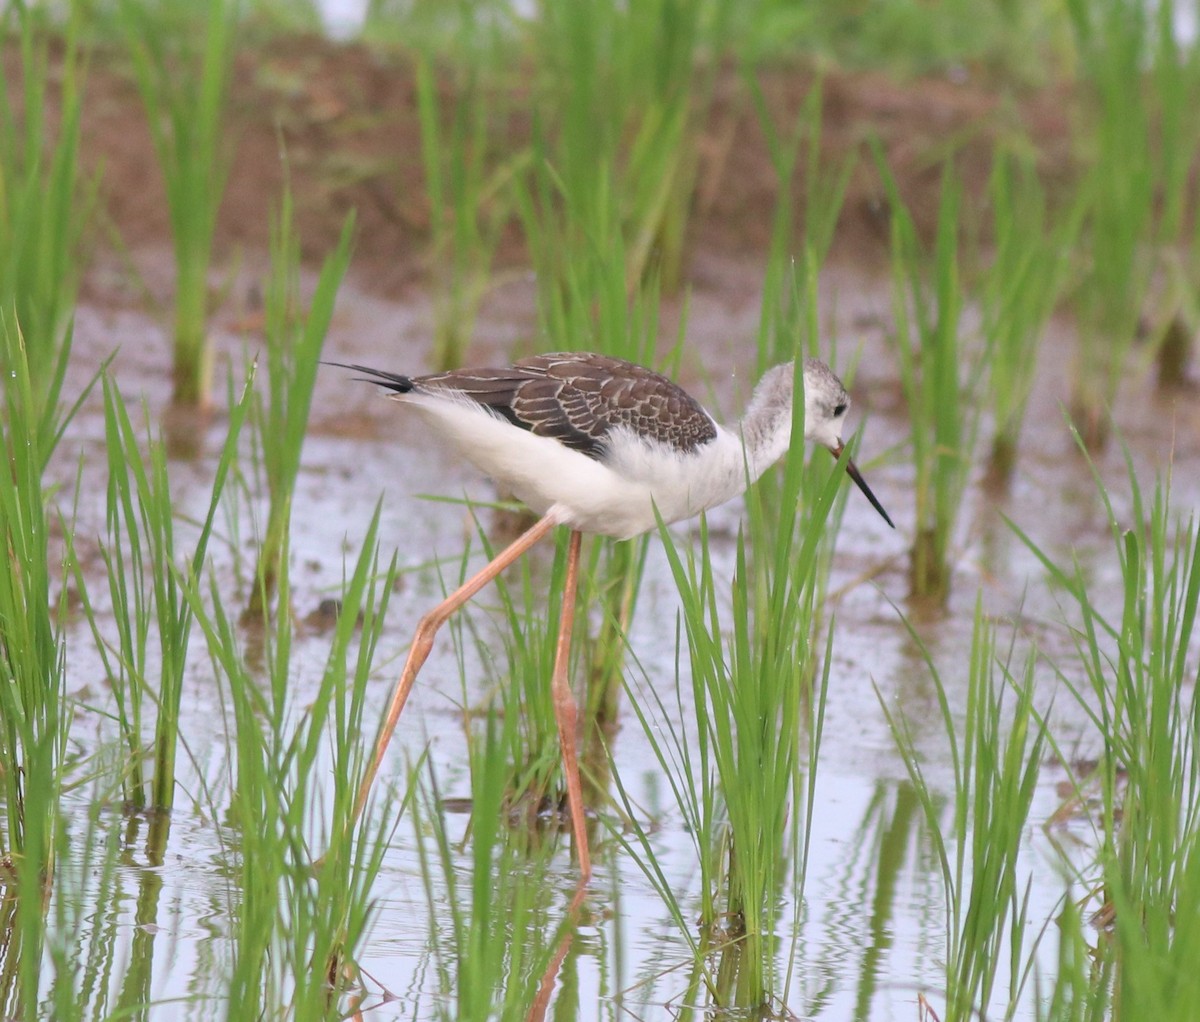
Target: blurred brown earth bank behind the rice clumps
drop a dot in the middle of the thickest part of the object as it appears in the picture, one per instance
(346, 116)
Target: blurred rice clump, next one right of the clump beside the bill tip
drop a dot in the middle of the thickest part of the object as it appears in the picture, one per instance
(1018, 293)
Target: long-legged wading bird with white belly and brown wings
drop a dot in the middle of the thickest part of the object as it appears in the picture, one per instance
(598, 446)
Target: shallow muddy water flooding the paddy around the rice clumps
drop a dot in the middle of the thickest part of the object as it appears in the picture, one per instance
(873, 919)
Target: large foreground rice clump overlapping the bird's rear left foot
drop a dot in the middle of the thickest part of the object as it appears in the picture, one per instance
(302, 916)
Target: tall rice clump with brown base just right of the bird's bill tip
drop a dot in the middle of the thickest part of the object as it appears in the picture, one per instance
(940, 386)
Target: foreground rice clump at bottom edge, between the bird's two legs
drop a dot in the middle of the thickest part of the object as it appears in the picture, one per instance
(491, 921)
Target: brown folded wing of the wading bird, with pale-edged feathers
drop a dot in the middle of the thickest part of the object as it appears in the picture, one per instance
(580, 399)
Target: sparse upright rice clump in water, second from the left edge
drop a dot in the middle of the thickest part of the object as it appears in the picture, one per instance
(148, 588)
